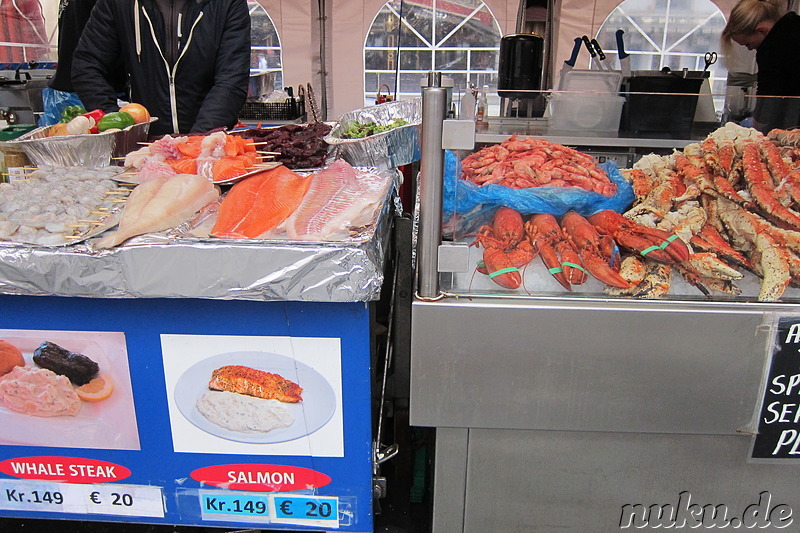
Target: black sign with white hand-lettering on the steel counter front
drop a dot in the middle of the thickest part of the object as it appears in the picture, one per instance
(778, 434)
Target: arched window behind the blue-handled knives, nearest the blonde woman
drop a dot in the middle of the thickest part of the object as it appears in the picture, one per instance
(668, 33)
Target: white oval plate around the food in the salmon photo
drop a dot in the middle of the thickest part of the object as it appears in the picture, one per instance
(317, 407)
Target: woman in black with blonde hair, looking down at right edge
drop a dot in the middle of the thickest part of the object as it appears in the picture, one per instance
(767, 27)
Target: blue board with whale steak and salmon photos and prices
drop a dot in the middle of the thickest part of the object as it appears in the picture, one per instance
(186, 412)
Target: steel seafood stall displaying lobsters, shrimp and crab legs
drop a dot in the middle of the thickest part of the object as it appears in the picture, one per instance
(594, 358)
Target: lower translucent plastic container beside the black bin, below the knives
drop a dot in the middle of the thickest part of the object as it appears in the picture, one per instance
(596, 113)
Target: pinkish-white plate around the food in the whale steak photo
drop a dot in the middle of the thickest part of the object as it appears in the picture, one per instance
(109, 423)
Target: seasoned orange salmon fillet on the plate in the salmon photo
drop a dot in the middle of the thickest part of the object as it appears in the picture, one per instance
(258, 383)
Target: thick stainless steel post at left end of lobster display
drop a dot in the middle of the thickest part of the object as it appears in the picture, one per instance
(434, 110)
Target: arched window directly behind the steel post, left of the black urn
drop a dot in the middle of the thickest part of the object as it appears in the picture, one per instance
(460, 38)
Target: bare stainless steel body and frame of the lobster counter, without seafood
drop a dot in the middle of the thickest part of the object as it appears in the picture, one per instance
(554, 412)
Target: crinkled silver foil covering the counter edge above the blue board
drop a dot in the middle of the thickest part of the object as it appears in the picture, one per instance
(161, 266)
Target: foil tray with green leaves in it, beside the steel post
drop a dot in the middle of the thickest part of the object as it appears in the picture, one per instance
(393, 148)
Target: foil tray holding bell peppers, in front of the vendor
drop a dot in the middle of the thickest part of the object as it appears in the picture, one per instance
(91, 150)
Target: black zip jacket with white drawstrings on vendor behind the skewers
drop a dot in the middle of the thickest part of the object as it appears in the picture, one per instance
(210, 75)
